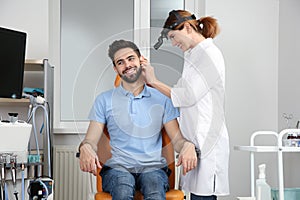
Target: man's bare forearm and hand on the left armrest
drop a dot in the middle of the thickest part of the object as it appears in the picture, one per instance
(89, 161)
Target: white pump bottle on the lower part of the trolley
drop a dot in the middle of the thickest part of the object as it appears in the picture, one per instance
(263, 190)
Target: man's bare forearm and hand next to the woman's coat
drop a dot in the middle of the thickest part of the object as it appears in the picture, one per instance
(187, 154)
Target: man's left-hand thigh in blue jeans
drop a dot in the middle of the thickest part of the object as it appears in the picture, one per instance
(120, 184)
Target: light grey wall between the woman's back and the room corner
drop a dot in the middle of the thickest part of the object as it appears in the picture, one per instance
(249, 41)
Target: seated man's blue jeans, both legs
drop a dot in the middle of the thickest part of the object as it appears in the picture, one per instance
(122, 184)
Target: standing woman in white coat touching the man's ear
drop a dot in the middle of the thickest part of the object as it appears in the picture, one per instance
(199, 94)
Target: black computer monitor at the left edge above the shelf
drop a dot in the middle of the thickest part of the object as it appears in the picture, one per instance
(12, 59)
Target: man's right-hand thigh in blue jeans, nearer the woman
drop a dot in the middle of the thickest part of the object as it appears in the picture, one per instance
(153, 184)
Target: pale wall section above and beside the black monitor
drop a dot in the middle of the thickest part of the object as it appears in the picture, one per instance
(30, 16)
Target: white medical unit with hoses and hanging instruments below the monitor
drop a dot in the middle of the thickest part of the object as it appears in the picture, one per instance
(15, 135)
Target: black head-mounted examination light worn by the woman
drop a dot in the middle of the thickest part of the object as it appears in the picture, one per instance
(166, 29)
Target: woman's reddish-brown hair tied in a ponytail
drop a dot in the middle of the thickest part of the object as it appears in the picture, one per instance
(206, 26)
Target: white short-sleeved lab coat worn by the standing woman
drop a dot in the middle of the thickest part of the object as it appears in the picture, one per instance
(199, 94)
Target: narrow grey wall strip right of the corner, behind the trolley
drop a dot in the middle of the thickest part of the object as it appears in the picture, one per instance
(289, 73)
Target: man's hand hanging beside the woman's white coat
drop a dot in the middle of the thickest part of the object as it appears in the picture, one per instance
(187, 158)
